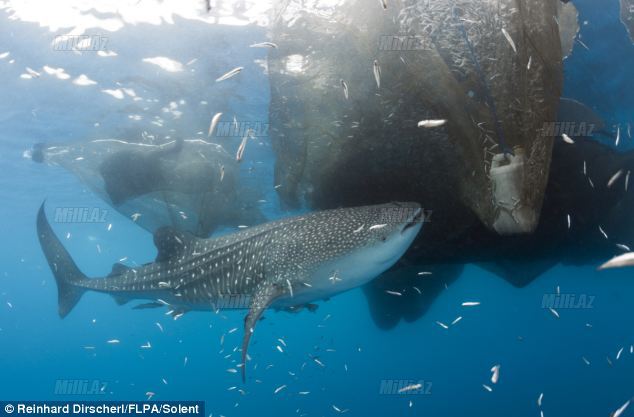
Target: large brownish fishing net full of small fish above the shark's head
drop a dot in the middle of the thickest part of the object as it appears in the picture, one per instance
(351, 80)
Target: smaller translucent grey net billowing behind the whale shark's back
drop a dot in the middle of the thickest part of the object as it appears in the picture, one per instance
(191, 184)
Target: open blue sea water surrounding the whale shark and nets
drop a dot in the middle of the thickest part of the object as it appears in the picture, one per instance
(537, 352)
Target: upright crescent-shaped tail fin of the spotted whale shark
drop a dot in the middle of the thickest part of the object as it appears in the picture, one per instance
(66, 273)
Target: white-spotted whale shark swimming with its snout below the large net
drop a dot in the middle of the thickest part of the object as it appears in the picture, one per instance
(282, 264)
